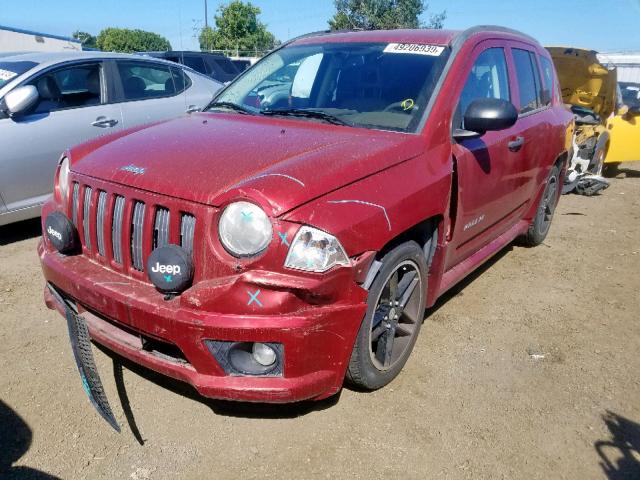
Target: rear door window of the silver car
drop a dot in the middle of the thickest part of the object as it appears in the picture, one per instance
(144, 80)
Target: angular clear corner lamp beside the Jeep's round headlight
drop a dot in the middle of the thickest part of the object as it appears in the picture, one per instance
(315, 251)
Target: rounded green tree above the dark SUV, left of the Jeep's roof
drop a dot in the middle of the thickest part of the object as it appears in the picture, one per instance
(237, 29)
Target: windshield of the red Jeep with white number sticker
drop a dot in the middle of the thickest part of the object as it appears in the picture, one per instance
(370, 85)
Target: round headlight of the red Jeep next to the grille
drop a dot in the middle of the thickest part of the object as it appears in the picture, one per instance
(244, 229)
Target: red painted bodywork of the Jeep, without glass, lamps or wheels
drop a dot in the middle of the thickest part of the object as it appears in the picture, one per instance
(366, 187)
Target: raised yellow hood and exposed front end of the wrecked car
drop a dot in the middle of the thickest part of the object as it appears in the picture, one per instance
(590, 89)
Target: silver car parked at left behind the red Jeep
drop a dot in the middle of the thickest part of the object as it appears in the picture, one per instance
(52, 101)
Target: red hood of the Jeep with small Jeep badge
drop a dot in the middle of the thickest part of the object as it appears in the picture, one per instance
(211, 158)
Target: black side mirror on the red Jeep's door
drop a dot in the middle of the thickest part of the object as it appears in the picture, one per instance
(485, 115)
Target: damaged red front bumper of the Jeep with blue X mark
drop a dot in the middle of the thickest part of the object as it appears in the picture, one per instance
(313, 321)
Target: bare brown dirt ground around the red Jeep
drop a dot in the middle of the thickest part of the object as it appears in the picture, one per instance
(529, 370)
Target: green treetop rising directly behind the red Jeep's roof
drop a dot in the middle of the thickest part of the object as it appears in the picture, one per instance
(383, 15)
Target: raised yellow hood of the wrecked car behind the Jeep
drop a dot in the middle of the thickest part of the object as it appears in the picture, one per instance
(584, 81)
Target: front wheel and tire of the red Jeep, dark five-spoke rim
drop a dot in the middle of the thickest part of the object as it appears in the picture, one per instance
(394, 316)
